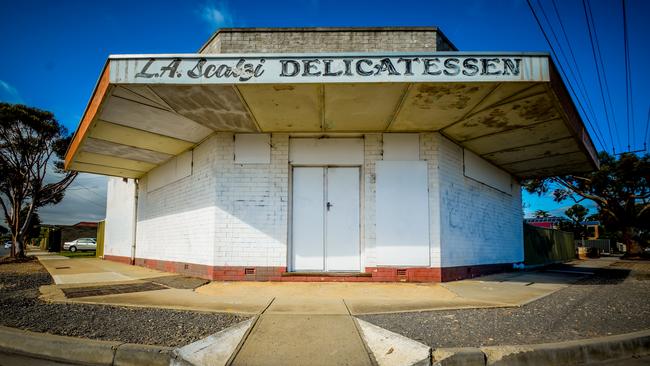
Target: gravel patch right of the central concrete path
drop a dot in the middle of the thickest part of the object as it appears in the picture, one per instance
(613, 301)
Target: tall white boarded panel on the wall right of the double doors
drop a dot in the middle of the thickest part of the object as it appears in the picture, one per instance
(402, 213)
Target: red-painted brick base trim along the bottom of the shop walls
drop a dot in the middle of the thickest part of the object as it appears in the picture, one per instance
(253, 273)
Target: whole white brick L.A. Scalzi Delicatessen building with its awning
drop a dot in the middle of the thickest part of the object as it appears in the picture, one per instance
(376, 154)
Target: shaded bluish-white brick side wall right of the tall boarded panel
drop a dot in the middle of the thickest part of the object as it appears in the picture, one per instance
(479, 224)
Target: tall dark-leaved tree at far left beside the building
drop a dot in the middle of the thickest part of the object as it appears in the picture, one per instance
(32, 144)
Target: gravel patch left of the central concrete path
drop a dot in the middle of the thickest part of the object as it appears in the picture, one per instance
(21, 308)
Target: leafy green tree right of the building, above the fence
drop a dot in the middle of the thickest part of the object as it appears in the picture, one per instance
(620, 189)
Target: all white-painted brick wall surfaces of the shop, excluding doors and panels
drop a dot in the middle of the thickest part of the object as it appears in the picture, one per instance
(229, 214)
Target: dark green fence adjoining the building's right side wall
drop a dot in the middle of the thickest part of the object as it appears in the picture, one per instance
(545, 246)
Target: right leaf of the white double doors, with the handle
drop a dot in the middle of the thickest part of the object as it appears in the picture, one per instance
(342, 249)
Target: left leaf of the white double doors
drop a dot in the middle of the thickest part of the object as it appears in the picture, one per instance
(308, 218)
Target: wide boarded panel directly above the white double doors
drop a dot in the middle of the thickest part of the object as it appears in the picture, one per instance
(332, 151)
